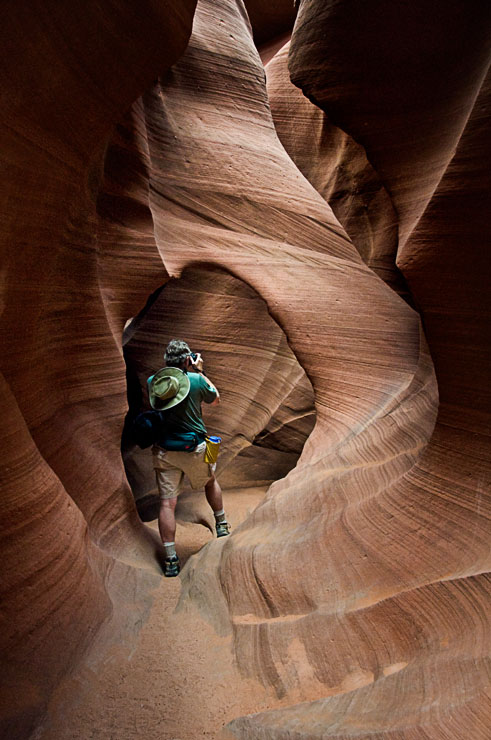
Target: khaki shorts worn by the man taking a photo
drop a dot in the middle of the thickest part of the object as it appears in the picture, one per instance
(171, 467)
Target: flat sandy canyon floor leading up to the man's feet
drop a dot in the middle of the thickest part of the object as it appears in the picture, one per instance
(159, 686)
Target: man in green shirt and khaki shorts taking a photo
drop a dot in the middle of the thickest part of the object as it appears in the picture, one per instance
(178, 389)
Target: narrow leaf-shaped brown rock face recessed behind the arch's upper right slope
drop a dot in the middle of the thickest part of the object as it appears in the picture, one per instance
(338, 168)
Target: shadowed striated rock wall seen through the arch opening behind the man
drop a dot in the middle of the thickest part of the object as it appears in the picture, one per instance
(267, 410)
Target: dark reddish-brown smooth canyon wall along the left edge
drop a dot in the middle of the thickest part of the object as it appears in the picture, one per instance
(69, 72)
